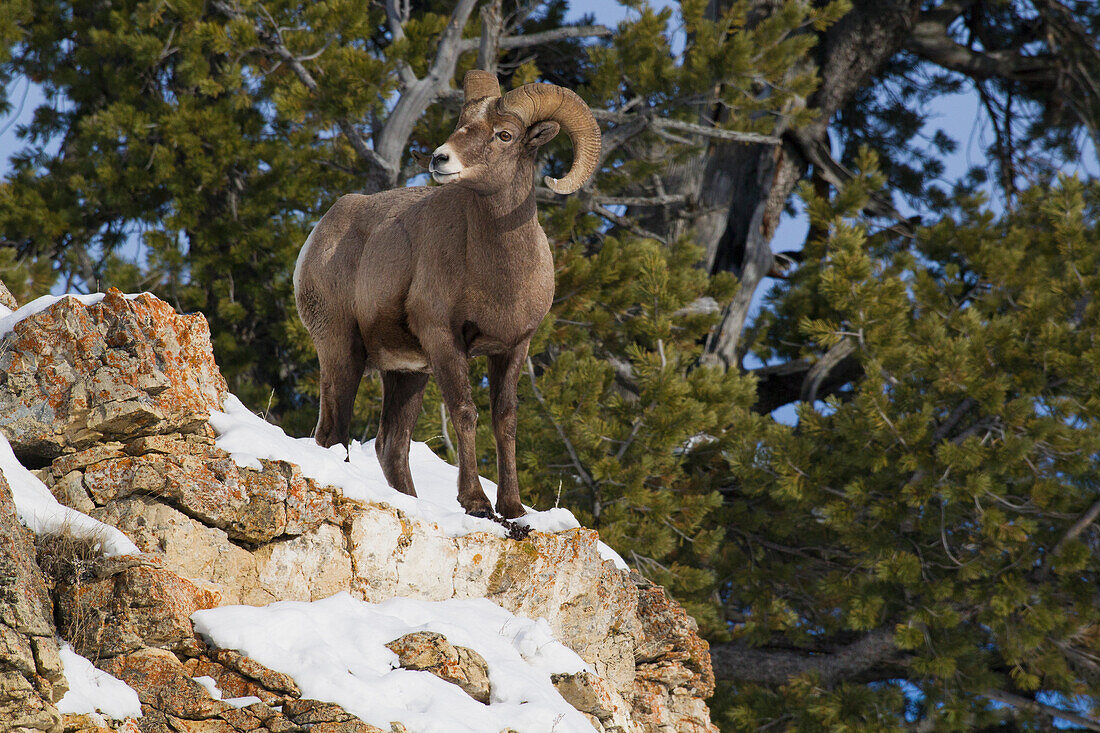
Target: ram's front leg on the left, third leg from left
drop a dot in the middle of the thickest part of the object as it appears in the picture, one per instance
(453, 375)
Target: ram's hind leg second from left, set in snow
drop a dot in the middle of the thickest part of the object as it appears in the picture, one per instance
(402, 396)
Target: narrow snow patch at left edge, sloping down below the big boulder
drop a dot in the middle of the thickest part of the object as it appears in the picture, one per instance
(39, 510)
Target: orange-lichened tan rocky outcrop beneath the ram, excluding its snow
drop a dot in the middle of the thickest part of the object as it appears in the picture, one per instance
(112, 402)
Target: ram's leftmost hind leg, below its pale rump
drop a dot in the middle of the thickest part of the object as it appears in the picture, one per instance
(343, 362)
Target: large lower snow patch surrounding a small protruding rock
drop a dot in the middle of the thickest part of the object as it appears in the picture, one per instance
(335, 650)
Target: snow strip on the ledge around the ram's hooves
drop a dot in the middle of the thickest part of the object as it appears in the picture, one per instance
(249, 439)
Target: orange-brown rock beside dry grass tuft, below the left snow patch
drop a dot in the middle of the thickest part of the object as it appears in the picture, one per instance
(130, 605)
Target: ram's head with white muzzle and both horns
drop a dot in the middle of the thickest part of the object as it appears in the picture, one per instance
(498, 137)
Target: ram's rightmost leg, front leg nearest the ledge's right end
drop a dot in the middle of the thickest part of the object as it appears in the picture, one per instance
(503, 378)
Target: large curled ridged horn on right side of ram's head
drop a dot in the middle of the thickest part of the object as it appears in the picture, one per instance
(534, 103)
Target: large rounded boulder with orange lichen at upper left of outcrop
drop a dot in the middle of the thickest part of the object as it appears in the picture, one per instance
(73, 376)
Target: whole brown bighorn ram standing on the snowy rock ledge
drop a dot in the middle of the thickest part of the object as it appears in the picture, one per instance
(416, 281)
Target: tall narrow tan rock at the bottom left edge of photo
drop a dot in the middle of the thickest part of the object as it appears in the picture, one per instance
(31, 672)
